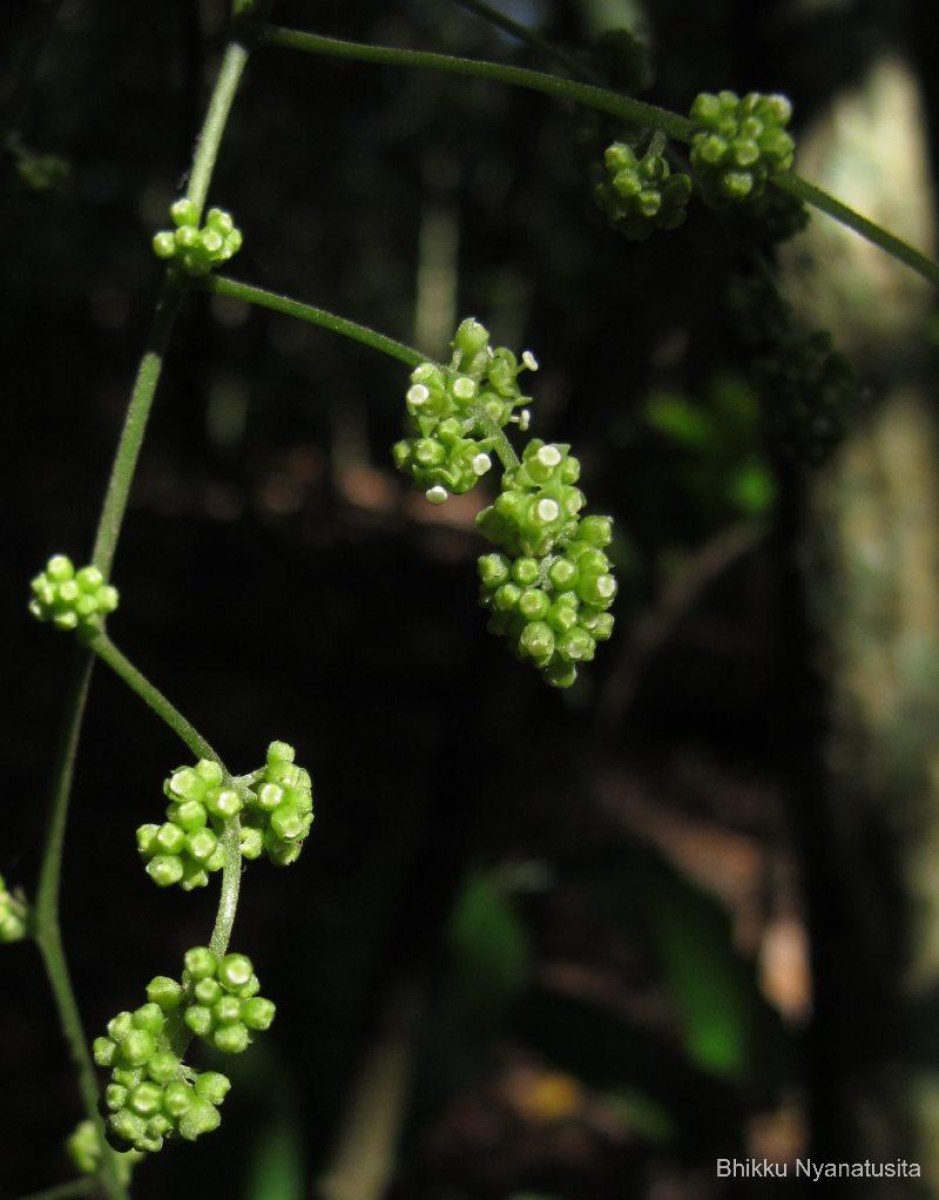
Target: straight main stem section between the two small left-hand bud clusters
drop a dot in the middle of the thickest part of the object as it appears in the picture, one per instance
(135, 428)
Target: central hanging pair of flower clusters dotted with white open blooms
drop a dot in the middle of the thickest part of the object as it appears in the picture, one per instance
(551, 586)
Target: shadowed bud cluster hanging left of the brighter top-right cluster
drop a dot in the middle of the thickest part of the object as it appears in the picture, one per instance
(642, 195)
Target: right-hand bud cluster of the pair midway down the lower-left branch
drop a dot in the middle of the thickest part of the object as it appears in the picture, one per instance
(279, 808)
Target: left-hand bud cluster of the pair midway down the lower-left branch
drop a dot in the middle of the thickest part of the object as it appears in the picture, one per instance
(187, 849)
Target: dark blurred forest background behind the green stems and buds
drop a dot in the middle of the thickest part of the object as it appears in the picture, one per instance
(561, 907)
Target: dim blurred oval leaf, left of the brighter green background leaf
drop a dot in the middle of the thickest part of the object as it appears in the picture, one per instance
(491, 951)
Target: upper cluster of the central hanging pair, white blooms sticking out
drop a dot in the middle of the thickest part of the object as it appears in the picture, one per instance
(457, 411)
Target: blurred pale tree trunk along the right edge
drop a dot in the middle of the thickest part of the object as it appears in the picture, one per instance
(870, 561)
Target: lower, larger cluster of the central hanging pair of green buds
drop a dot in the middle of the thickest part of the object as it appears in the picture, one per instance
(549, 590)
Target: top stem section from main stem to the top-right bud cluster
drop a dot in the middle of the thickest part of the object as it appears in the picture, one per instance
(633, 112)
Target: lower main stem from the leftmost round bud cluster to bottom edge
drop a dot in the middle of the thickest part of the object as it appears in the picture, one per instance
(46, 927)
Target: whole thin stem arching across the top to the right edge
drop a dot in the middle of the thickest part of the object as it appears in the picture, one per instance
(633, 112)
